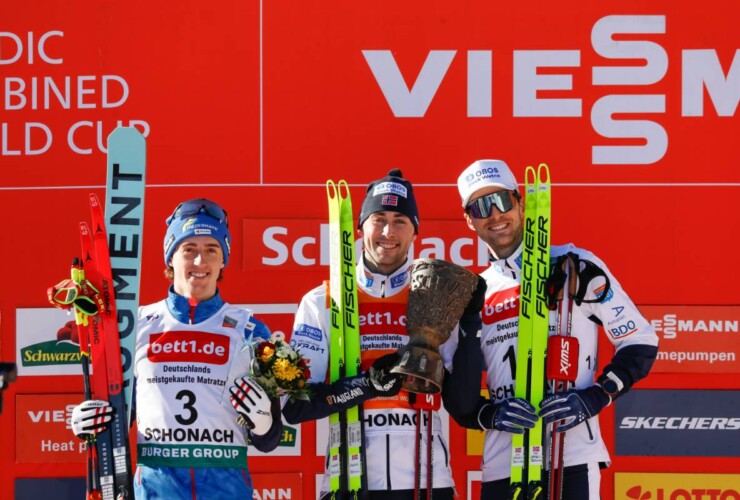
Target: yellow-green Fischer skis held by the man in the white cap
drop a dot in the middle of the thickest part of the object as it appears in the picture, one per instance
(527, 451)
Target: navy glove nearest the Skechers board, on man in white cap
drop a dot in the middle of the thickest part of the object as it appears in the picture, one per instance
(573, 406)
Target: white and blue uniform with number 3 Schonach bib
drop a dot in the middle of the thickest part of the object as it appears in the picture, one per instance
(189, 443)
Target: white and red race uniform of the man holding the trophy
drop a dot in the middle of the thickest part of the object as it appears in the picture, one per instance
(389, 422)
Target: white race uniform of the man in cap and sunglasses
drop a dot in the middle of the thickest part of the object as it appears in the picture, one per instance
(631, 334)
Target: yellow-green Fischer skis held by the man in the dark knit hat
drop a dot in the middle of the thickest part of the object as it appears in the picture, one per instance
(347, 465)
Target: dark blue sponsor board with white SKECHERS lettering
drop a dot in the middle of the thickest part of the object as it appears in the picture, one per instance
(694, 423)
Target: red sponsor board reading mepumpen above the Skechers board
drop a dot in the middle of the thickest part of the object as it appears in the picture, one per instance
(696, 339)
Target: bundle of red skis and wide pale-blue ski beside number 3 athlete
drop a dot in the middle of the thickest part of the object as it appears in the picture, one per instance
(112, 266)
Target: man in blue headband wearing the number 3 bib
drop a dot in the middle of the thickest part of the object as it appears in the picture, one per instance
(191, 363)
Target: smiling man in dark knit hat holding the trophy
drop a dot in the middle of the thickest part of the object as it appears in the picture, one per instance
(388, 225)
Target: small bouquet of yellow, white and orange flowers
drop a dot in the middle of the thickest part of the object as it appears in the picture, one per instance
(280, 369)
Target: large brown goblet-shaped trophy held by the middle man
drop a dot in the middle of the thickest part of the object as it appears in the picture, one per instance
(438, 295)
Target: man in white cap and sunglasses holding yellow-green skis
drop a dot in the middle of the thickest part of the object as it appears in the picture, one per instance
(494, 209)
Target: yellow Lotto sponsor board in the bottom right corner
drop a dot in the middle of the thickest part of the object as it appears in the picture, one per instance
(662, 486)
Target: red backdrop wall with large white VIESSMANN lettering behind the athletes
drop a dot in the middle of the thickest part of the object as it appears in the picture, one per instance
(256, 104)
